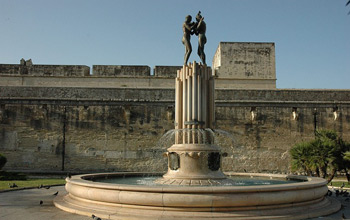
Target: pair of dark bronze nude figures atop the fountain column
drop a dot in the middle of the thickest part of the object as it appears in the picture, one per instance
(198, 28)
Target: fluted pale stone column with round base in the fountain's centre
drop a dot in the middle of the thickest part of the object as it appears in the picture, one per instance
(194, 159)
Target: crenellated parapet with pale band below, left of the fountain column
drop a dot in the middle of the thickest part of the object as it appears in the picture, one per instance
(103, 76)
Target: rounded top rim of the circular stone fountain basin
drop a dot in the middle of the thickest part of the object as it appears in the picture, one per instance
(307, 182)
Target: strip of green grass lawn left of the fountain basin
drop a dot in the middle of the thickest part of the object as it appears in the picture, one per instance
(4, 184)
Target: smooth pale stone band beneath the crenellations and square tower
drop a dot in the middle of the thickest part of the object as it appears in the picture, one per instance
(163, 78)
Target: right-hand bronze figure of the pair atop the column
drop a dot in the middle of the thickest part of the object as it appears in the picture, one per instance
(199, 29)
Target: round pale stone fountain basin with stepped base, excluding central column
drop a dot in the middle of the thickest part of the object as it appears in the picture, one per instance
(303, 198)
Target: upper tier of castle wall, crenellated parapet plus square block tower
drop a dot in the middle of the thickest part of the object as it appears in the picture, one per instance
(236, 65)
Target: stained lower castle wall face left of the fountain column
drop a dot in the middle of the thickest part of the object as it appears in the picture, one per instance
(96, 138)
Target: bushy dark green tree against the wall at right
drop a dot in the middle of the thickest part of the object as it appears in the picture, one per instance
(327, 152)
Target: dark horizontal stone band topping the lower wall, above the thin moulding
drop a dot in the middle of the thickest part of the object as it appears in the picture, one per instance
(307, 96)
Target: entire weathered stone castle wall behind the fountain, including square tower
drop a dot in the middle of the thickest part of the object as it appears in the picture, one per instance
(59, 117)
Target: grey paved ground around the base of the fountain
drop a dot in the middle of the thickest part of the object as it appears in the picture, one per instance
(25, 204)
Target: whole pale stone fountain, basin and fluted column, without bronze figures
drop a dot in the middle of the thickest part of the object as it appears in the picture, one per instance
(194, 186)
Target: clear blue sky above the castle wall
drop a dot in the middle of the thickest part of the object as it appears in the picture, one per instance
(312, 37)
